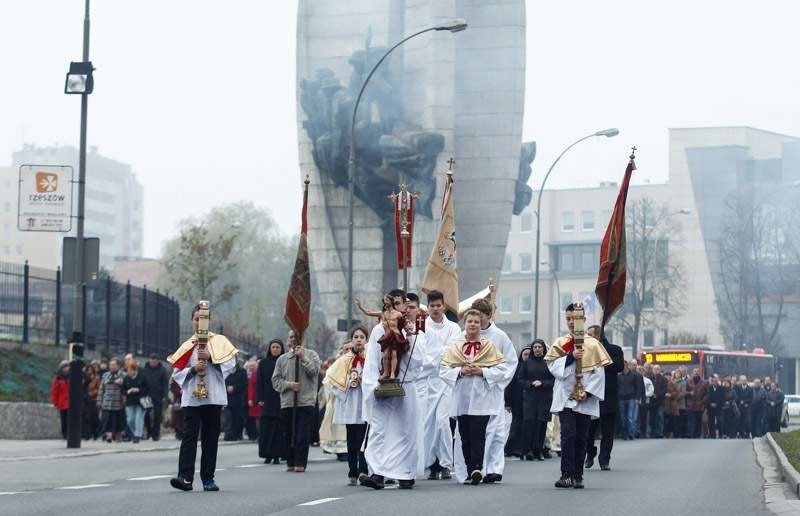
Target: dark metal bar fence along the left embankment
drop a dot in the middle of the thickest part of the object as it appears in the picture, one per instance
(35, 306)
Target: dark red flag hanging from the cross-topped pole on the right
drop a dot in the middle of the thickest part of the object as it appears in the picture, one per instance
(610, 288)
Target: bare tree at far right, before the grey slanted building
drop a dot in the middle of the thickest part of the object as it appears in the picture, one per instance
(754, 253)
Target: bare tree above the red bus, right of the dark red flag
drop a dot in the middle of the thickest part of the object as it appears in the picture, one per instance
(654, 292)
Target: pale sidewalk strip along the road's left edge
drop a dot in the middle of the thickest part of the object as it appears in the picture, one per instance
(16, 450)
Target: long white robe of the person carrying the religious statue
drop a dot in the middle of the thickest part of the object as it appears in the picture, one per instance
(394, 423)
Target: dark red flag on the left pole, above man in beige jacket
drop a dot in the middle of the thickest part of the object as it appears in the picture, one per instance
(298, 299)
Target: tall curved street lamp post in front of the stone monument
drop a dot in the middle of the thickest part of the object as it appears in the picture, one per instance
(456, 25)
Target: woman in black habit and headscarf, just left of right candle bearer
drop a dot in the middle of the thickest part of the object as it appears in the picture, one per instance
(536, 382)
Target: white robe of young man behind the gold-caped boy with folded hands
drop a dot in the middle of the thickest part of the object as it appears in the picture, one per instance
(498, 378)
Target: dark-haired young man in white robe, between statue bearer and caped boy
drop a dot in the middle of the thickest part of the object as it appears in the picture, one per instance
(437, 435)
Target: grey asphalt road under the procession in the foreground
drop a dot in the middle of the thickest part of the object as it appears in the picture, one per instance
(652, 477)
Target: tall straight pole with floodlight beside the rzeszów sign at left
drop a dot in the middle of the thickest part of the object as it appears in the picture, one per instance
(80, 82)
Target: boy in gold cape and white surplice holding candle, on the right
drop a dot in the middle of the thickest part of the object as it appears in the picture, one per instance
(575, 414)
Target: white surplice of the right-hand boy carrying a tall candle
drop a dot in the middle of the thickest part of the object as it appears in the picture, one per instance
(594, 382)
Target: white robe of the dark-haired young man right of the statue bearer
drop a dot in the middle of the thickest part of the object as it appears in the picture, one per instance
(435, 395)
